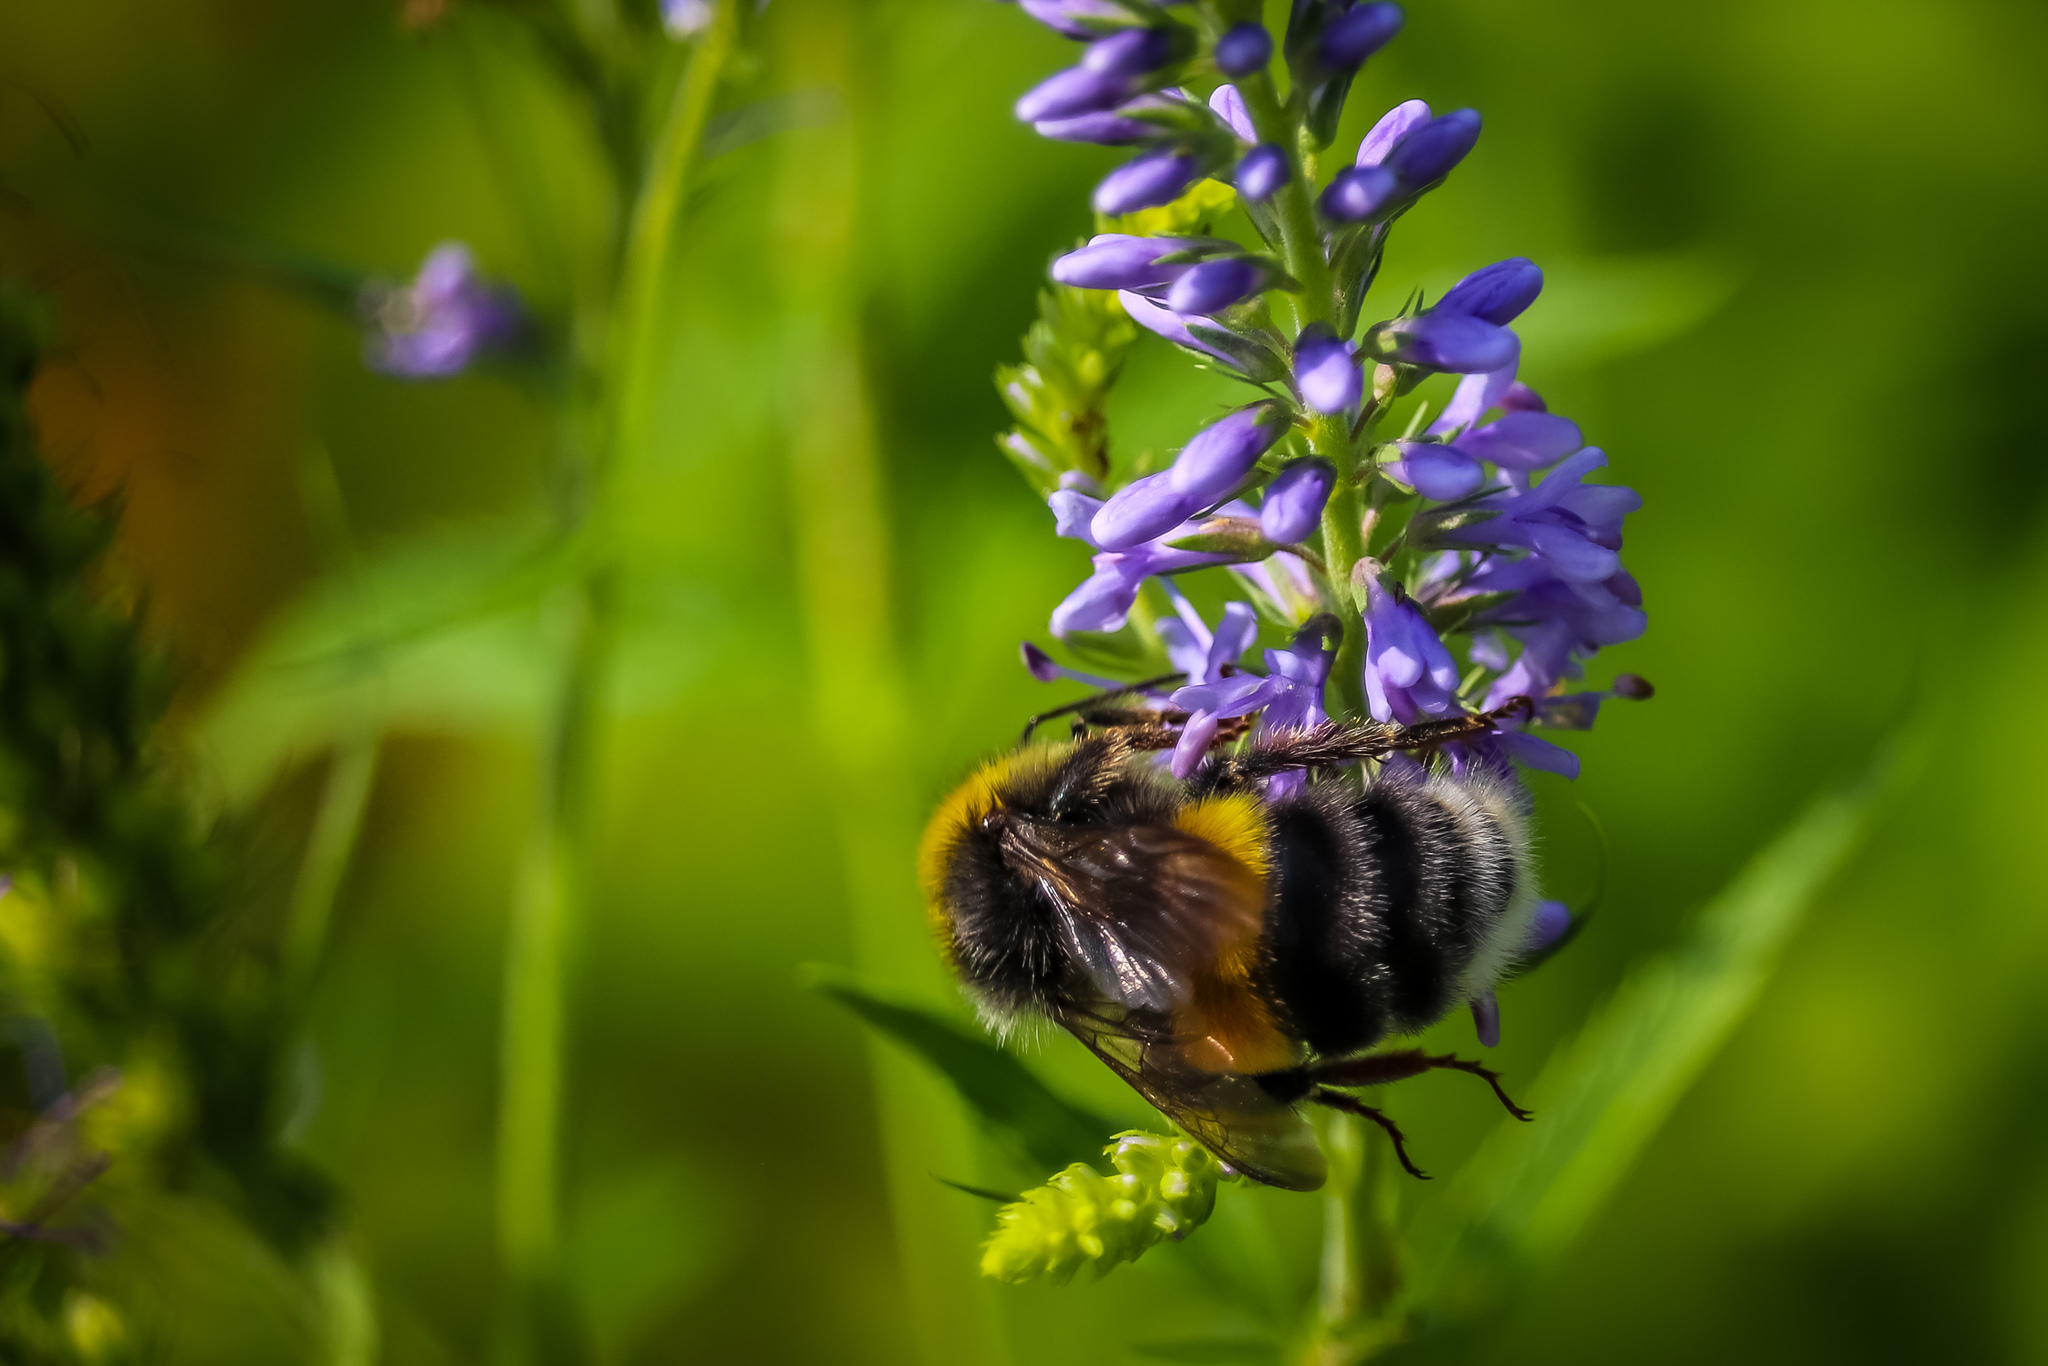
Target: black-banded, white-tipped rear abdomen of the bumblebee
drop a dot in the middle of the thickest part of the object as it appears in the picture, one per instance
(1392, 908)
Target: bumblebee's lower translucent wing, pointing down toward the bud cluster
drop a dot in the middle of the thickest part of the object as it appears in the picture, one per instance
(1232, 1115)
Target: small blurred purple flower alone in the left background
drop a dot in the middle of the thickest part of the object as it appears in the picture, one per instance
(441, 323)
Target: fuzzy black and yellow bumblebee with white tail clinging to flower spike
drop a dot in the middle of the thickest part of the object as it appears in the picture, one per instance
(1228, 953)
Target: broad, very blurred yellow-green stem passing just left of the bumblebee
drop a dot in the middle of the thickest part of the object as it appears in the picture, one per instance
(859, 701)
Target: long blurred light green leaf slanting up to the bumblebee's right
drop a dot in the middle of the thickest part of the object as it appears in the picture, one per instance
(1603, 1099)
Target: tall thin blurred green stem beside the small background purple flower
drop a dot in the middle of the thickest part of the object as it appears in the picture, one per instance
(554, 876)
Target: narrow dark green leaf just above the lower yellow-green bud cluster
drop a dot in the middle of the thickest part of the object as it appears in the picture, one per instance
(1011, 1101)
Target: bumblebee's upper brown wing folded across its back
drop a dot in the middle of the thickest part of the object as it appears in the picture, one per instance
(1142, 908)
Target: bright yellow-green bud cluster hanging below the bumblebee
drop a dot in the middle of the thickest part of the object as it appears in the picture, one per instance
(1162, 1191)
